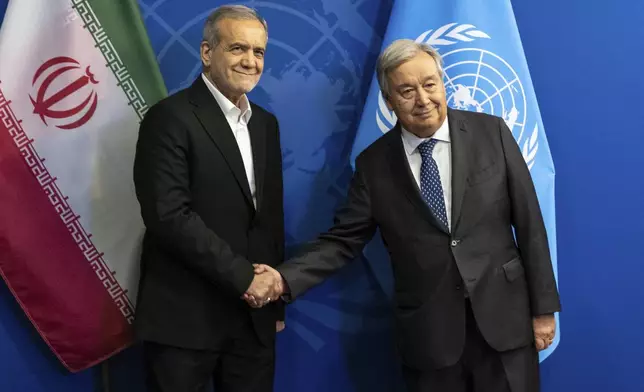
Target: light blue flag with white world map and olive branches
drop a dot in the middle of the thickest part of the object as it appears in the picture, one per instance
(485, 71)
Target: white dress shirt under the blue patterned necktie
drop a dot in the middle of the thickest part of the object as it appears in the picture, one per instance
(442, 154)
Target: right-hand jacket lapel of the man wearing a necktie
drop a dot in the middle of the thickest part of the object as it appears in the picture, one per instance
(460, 147)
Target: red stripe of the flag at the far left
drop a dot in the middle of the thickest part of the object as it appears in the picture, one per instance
(49, 262)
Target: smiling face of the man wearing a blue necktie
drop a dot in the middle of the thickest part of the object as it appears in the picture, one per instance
(417, 95)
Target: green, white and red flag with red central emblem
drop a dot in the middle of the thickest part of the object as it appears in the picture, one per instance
(76, 77)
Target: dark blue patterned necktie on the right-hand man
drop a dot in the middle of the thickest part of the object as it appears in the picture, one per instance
(430, 182)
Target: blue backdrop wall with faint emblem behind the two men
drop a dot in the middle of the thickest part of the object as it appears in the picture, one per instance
(586, 70)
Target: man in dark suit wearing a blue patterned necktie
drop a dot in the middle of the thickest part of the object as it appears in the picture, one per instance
(446, 188)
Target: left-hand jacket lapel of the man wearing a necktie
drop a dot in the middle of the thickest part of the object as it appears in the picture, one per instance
(403, 176)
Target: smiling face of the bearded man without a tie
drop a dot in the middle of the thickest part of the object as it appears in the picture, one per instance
(236, 62)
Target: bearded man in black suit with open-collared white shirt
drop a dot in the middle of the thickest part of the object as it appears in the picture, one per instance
(208, 176)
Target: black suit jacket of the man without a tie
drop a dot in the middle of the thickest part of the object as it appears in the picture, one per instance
(202, 229)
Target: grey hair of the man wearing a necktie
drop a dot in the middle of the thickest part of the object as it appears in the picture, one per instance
(398, 52)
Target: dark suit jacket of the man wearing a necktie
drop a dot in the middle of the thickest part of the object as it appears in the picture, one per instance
(492, 192)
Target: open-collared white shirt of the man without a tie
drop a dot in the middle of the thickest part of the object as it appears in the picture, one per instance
(238, 119)
